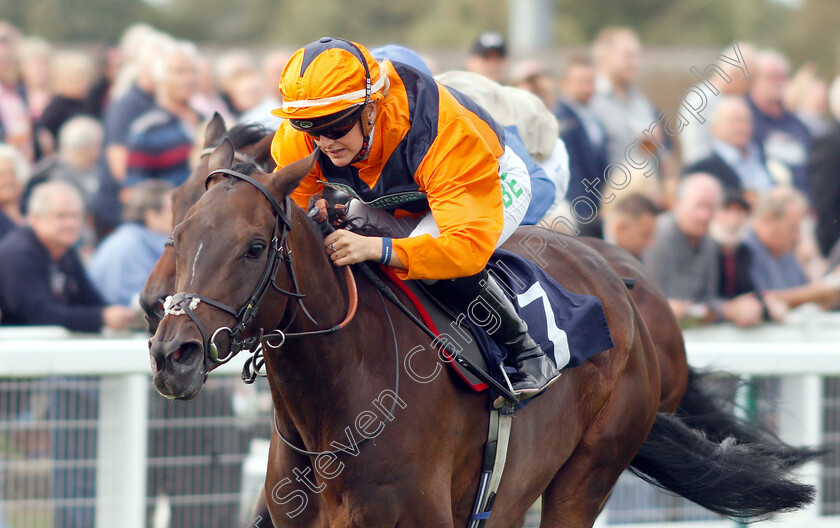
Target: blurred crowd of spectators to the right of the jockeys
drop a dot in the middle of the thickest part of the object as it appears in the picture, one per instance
(737, 217)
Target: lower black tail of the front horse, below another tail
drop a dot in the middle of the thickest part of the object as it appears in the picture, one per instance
(729, 478)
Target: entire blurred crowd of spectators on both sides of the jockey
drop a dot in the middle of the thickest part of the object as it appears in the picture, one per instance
(736, 216)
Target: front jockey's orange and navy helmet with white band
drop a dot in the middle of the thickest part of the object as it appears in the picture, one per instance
(328, 82)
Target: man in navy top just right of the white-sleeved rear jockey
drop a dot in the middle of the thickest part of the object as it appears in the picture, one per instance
(580, 128)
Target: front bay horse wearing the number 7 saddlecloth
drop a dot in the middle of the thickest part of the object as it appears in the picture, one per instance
(587, 427)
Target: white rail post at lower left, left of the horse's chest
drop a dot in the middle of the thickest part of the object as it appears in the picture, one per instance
(122, 451)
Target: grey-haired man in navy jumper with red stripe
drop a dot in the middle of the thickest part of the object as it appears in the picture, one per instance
(160, 141)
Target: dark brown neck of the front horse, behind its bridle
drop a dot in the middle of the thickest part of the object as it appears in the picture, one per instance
(309, 375)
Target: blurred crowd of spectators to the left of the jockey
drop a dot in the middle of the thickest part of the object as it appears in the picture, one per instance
(91, 147)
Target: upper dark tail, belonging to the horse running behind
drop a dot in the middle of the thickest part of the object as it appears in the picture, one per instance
(708, 414)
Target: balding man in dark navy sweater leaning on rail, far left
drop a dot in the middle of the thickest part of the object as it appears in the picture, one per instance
(45, 284)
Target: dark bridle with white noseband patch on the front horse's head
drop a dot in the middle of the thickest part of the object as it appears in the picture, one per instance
(185, 303)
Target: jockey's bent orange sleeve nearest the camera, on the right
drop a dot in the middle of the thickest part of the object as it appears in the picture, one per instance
(460, 176)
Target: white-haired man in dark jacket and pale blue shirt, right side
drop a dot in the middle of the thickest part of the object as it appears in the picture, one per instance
(735, 160)
